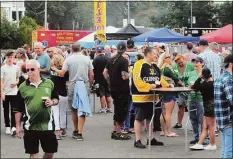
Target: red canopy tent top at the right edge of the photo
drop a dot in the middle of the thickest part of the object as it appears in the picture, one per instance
(222, 35)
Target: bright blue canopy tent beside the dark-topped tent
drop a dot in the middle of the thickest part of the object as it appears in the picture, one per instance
(164, 35)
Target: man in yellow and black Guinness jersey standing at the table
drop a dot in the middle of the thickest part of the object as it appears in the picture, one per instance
(146, 76)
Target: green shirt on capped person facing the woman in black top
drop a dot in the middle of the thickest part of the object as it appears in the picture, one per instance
(194, 95)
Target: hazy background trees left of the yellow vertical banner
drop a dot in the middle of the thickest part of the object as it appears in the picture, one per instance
(62, 14)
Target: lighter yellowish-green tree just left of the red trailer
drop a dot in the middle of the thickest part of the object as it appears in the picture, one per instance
(26, 26)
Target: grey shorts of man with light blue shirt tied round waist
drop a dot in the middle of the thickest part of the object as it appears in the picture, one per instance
(71, 94)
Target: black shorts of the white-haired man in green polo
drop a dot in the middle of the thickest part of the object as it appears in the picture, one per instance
(47, 139)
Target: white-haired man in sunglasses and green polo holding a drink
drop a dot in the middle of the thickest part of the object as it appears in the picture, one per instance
(39, 125)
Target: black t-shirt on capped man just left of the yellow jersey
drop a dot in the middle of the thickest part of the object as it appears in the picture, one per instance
(117, 84)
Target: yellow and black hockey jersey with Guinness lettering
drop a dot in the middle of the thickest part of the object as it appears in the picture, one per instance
(145, 74)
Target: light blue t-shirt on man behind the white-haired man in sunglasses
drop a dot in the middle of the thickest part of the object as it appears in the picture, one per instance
(44, 61)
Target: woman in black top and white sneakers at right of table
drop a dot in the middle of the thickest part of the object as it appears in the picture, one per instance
(205, 85)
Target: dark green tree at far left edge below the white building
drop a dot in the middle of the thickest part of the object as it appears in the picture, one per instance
(10, 38)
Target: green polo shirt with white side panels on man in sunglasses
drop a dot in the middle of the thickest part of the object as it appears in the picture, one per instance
(39, 117)
